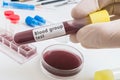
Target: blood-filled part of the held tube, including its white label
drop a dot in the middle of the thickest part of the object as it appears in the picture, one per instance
(46, 32)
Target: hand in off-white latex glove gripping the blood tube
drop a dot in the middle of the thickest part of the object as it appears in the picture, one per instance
(99, 35)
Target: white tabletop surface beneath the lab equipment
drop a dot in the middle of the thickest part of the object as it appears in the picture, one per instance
(94, 59)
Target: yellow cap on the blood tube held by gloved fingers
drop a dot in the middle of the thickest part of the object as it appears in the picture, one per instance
(100, 16)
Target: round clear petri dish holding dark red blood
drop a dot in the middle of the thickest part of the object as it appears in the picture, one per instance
(61, 61)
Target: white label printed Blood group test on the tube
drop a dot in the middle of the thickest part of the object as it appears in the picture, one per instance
(48, 32)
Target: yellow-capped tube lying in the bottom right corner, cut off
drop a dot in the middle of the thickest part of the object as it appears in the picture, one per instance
(107, 74)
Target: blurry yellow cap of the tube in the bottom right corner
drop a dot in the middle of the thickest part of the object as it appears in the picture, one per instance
(104, 75)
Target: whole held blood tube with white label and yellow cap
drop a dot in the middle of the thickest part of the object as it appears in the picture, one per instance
(59, 29)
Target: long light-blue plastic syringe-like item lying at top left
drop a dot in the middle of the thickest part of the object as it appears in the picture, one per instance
(17, 5)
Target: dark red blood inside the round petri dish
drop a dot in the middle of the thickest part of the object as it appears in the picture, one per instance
(62, 60)
